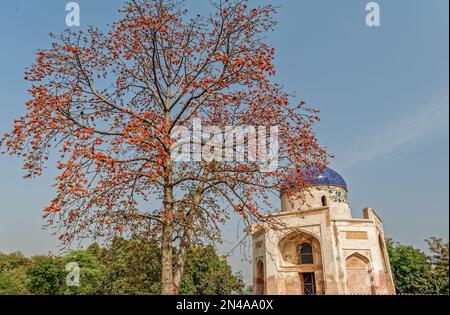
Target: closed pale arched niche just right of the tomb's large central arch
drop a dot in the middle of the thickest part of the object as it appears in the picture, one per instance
(359, 275)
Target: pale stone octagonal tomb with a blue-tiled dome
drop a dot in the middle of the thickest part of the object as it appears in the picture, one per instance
(315, 246)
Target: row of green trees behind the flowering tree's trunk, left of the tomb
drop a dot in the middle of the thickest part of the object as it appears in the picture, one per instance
(123, 267)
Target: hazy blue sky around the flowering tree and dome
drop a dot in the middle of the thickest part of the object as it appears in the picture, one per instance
(383, 95)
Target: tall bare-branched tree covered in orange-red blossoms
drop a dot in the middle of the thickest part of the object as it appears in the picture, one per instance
(110, 102)
